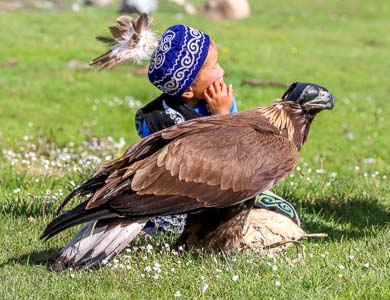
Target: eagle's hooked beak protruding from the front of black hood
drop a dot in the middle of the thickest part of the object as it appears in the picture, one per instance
(315, 100)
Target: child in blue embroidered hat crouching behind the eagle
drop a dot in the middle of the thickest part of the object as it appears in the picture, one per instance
(185, 67)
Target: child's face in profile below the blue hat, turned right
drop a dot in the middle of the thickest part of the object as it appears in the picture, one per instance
(210, 72)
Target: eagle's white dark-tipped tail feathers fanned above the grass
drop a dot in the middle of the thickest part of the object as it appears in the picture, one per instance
(96, 243)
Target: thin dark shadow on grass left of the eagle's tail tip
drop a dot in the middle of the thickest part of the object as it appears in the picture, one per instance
(35, 258)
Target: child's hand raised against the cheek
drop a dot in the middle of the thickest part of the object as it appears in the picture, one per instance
(219, 97)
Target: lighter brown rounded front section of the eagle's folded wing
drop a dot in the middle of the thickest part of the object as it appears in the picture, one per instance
(215, 173)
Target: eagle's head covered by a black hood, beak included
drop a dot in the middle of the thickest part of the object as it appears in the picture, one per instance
(312, 98)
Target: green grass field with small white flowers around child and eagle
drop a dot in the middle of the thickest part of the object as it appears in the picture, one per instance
(57, 124)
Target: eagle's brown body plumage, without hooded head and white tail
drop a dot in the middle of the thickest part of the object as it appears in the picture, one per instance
(209, 167)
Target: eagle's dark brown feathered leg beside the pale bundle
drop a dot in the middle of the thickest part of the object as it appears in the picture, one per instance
(216, 229)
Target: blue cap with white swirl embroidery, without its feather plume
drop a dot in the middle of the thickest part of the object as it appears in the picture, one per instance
(178, 58)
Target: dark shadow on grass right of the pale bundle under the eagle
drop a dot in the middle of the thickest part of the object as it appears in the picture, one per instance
(349, 219)
